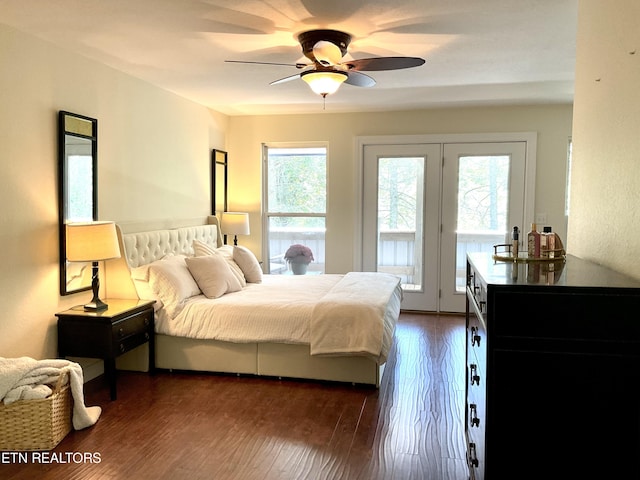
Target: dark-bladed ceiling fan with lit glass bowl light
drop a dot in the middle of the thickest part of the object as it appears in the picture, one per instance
(328, 69)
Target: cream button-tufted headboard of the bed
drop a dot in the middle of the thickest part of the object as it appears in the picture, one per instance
(145, 242)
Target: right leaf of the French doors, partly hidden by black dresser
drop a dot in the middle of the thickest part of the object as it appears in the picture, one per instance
(483, 198)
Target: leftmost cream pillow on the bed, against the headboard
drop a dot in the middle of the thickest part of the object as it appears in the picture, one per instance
(172, 283)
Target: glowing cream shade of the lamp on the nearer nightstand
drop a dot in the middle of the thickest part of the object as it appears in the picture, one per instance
(92, 241)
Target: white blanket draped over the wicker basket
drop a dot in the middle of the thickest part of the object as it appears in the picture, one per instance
(25, 378)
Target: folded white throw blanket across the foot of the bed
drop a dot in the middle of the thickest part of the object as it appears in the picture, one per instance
(349, 319)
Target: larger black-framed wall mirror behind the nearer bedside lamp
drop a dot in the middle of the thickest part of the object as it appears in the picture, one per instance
(77, 190)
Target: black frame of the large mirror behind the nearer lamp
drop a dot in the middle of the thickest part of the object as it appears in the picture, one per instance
(72, 124)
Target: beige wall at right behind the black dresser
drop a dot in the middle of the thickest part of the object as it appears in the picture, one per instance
(604, 224)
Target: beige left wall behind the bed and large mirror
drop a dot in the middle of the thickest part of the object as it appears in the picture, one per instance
(153, 155)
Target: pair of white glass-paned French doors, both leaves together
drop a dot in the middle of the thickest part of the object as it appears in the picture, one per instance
(426, 205)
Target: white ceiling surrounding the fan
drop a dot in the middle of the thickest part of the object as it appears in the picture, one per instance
(477, 52)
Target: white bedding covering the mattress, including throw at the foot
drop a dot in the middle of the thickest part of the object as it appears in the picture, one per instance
(352, 314)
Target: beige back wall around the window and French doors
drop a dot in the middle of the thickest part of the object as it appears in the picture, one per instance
(246, 134)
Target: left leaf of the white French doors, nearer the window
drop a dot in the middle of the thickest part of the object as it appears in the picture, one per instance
(401, 198)
